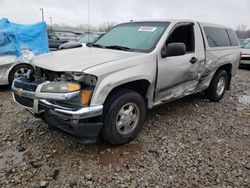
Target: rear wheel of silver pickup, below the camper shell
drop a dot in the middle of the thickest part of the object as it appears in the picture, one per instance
(217, 87)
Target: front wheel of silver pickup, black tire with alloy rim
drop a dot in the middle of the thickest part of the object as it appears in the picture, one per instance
(127, 109)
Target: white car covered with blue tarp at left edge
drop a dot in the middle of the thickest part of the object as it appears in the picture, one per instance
(18, 45)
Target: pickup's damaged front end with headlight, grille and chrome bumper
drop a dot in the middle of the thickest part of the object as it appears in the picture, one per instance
(62, 99)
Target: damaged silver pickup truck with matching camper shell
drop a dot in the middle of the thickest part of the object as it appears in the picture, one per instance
(104, 90)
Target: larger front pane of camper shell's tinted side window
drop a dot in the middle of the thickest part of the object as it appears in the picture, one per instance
(217, 37)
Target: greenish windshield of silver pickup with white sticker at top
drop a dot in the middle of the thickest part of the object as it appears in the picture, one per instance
(134, 36)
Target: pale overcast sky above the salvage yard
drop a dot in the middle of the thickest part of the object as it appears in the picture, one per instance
(74, 12)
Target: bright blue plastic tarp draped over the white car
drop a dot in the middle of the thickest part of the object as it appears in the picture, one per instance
(15, 37)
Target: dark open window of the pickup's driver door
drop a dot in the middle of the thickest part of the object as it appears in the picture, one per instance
(183, 34)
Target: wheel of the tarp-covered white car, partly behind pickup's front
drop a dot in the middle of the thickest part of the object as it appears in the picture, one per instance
(22, 69)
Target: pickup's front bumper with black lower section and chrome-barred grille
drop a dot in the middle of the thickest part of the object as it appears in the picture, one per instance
(81, 123)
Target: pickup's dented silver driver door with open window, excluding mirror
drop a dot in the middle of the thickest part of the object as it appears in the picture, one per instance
(179, 75)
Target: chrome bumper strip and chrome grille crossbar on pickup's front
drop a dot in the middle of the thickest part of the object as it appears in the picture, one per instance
(41, 103)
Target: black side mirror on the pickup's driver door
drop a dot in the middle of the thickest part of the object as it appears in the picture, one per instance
(173, 49)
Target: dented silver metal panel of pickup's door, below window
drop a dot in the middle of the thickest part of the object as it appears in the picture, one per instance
(180, 78)
